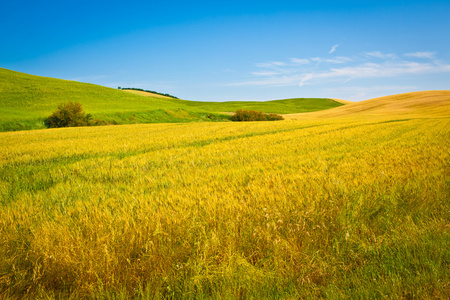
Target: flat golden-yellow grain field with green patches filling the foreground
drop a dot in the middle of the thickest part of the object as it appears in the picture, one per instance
(290, 209)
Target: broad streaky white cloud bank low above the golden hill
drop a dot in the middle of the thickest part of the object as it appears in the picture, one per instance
(299, 71)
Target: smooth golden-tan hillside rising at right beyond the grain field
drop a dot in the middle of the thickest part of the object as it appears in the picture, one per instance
(425, 104)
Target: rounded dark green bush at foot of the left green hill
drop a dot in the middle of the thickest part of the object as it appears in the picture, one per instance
(68, 115)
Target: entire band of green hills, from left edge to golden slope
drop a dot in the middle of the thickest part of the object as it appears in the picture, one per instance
(26, 100)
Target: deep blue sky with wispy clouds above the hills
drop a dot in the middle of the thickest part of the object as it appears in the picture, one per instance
(234, 50)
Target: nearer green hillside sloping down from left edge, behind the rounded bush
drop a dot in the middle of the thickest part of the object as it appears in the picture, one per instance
(25, 100)
